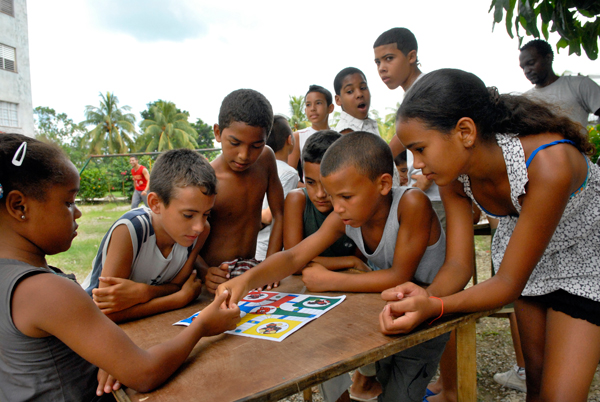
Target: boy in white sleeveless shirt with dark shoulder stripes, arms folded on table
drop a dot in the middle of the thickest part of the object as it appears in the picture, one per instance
(146, 262)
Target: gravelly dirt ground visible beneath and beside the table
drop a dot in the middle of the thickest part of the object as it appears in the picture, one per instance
(494, 354)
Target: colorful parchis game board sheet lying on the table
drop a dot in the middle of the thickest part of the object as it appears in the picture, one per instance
(275, 316)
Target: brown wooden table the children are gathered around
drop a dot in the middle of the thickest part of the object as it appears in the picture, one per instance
(235, 368)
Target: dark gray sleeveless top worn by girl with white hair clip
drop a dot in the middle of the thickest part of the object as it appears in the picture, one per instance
(37, 369)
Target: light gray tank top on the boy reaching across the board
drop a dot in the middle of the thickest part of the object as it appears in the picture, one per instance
(383, 256)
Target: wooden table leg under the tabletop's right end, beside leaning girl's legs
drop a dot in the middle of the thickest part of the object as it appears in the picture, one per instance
(466, 361)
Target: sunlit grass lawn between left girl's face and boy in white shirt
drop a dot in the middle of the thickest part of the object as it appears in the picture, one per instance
(93, 225)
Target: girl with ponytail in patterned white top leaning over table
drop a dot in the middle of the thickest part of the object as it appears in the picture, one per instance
(526, 164)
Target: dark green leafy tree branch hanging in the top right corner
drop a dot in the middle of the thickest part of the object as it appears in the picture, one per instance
(563, 16)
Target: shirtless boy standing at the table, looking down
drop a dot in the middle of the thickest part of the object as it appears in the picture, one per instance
(246, 171)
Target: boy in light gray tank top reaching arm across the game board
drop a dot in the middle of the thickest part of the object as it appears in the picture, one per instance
(396, 229)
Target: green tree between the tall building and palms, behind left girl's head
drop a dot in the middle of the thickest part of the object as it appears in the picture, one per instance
(59, 129)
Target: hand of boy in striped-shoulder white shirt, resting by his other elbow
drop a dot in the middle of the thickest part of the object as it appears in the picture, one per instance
(121, 294)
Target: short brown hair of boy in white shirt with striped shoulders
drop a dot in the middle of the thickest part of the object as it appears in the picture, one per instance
(181, 168)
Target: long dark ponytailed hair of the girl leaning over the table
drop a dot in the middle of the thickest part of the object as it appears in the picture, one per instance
(443, 97)
